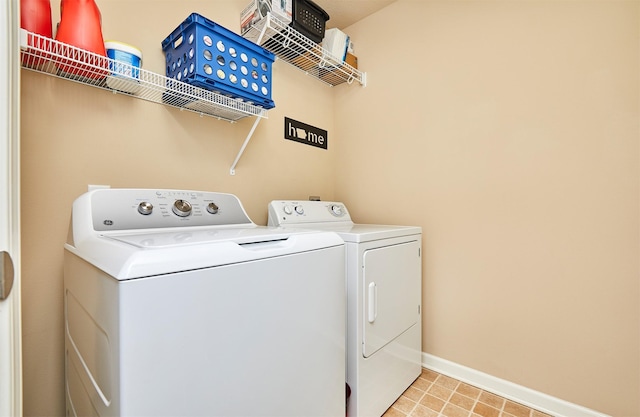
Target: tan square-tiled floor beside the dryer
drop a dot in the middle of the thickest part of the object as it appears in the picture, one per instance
(436, 395)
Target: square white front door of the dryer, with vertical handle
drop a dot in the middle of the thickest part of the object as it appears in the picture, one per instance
(391, 292)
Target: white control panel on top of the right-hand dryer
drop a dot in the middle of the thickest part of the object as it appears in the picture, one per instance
(292, 212)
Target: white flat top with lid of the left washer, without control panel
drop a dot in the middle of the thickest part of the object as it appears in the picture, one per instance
(139, 255)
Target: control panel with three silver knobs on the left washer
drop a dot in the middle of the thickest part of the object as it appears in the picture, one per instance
(124, 209)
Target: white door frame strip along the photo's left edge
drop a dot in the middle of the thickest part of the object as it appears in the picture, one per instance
(10, 322)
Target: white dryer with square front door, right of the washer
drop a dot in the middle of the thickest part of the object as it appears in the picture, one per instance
(384, 281)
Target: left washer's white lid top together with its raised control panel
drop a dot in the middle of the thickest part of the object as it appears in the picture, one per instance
(133, 233)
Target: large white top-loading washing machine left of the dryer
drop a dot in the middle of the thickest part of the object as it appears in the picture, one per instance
(177, 304)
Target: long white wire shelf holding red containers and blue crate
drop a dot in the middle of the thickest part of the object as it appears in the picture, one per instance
(46, 55)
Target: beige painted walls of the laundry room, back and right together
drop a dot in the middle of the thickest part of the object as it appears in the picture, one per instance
(507, 130)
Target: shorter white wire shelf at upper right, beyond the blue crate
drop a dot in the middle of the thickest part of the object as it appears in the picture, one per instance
(291, 46)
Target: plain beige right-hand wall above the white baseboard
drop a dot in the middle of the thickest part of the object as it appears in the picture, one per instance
(509, 131)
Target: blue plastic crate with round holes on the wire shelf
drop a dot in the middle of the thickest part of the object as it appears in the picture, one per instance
(203, 53)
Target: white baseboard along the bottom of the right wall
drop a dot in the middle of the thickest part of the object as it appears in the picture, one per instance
(517, 393)
